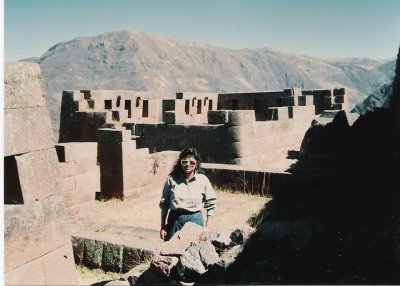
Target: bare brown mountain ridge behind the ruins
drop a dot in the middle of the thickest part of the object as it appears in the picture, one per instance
(134, 60)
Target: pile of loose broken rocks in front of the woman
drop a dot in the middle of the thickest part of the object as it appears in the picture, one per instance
(192, 255)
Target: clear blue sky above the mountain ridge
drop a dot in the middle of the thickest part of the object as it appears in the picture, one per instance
(326, 28)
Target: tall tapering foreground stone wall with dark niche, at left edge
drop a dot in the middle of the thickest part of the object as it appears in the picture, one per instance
(37, 241)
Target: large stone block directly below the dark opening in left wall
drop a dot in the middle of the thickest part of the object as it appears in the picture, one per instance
(34, 229)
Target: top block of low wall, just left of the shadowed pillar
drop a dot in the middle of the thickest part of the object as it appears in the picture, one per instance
(76, 151)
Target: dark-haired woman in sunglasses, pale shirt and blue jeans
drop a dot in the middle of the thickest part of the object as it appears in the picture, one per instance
(185, 193)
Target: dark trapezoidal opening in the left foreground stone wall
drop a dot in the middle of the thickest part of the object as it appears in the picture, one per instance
(12, 185)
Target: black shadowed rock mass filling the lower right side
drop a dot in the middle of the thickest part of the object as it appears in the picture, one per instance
(341, 224)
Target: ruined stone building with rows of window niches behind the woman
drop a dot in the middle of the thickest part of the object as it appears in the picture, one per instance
(238, 128)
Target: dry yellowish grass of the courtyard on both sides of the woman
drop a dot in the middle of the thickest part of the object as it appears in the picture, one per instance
(233, 210)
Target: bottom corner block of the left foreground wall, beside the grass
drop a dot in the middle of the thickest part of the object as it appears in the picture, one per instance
(59, 266)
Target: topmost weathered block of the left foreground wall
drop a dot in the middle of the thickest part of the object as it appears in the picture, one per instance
(23, 85)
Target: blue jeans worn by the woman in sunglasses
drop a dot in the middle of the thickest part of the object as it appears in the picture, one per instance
(176, 220)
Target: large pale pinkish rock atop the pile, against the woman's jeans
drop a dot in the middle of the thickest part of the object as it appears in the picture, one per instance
(181, 240)
